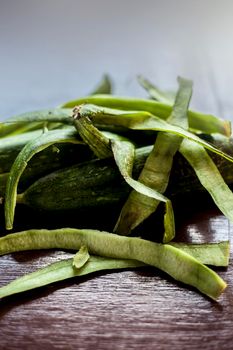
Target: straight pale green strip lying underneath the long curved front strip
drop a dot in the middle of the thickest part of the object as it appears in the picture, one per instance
(213, 254)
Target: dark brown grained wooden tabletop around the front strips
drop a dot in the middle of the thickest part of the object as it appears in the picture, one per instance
(130, 309)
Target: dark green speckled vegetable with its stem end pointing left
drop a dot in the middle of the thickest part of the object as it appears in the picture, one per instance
(90, 184)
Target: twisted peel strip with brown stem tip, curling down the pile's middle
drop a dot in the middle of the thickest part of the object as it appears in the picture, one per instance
(123, 152)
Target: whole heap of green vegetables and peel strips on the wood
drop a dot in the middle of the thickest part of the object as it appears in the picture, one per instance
(101, 150)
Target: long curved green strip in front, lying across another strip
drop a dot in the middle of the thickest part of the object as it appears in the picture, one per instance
(178, 264)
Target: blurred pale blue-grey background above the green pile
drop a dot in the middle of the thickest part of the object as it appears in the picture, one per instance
(55, 50)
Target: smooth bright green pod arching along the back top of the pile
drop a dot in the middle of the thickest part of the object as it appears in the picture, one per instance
(161, 110)
